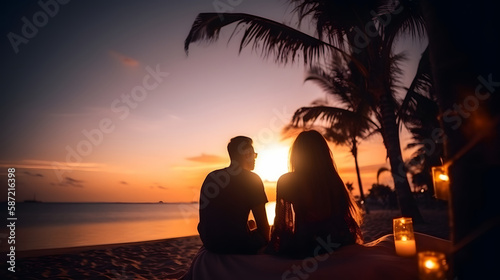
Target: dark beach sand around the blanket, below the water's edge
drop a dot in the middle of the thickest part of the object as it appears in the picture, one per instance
(169, 258)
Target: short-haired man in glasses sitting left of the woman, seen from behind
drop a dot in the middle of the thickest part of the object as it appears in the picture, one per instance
(226, 198)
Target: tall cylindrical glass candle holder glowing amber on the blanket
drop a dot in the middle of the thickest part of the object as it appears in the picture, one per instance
(404, 239)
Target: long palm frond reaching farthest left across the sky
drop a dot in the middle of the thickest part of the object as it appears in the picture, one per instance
(285, 43)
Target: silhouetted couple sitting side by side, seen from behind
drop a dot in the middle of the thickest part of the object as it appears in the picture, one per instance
(312, 203)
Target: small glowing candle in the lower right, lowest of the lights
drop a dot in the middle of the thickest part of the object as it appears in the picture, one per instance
(432, 265)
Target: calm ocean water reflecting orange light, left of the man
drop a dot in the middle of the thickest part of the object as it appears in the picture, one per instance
(60, 225)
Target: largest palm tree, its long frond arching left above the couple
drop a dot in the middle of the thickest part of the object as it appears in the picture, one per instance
(338, 26)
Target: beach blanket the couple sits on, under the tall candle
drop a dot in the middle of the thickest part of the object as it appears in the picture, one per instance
(375, 260)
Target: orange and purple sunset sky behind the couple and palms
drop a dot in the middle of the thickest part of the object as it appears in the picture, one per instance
(102, 104)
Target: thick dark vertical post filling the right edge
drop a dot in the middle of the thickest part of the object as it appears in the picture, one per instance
(465, 57)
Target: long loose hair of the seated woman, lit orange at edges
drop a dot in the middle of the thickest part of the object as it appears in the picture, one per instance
(311, 159)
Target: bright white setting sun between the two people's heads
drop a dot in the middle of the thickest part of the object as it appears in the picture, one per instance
(272, 162)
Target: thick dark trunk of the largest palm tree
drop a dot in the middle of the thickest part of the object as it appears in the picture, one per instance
(406, 202)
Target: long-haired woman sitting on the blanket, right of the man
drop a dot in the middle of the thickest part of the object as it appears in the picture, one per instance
(312, 202)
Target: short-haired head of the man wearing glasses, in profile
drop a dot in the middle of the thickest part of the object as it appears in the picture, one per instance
(241, 151)
